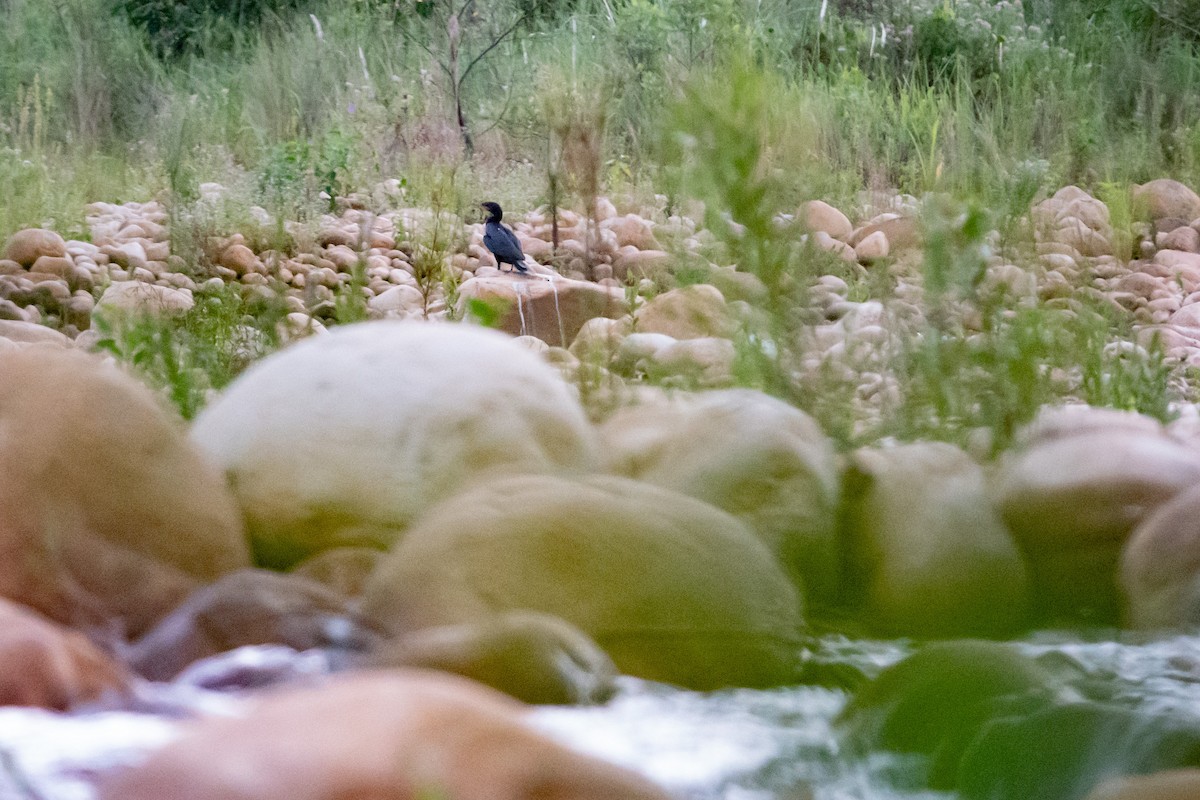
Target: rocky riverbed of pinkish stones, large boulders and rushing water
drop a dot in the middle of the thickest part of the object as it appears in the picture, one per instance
(365, 557)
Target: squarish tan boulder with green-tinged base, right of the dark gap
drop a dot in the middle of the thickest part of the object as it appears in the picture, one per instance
(927, 554)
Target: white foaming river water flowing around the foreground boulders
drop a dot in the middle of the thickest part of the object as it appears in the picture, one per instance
(729, 745)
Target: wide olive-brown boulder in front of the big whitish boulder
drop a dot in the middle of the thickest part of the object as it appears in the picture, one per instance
(673, 588)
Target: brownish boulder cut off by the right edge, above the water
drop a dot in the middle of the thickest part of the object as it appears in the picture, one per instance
(1161, 567)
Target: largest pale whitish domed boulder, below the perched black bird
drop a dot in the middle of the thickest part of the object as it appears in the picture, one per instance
(343, 440)
